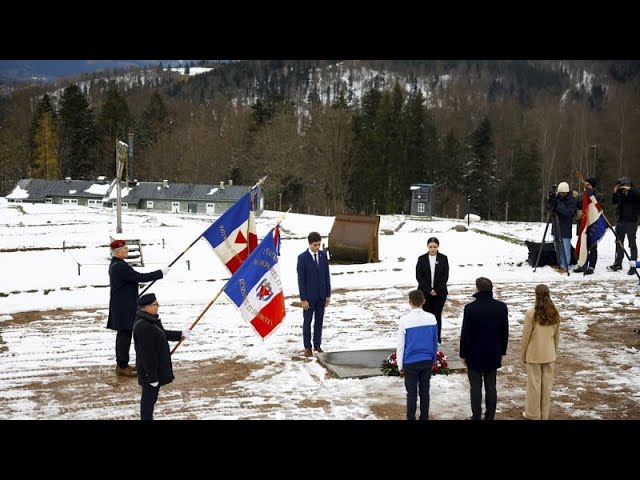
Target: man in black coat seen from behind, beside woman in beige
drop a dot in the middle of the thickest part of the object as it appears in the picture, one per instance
(483, 343)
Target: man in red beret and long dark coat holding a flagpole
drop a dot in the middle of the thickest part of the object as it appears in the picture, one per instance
(122, 302)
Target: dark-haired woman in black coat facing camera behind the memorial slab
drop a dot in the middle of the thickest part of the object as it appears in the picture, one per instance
(432, 273)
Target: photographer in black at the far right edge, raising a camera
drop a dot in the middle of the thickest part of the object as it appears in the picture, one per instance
(628, 200)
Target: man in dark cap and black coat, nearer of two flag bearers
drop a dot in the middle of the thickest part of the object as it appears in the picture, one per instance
(153, 358)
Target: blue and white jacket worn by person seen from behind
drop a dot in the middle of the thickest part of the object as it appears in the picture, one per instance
(417, 337)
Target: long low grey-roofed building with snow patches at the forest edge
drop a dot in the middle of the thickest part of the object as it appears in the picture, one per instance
(155, 196)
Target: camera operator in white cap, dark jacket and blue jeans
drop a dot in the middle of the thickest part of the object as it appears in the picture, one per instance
(564, 207)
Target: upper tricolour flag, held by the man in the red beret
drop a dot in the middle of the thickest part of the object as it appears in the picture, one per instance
(233, 236)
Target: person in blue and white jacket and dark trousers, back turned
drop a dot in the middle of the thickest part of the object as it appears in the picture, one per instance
(416, 351)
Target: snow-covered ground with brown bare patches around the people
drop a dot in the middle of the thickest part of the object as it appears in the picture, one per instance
(57, 357)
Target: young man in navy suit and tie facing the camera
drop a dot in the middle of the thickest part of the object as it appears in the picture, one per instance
(314, 284)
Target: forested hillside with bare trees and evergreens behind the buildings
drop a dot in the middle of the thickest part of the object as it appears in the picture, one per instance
(341, 135)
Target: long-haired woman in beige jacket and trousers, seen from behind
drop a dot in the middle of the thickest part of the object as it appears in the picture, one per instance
(540, 340)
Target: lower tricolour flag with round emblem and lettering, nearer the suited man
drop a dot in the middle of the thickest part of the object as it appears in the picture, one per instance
(256, 288)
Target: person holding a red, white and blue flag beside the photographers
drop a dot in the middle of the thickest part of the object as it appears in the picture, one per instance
(593, 226)
